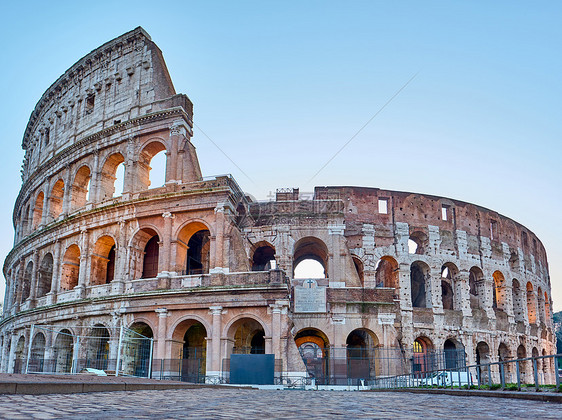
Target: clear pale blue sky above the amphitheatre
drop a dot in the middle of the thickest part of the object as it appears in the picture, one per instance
(281, 86)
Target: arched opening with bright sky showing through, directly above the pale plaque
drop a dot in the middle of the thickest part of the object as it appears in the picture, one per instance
(310, 259)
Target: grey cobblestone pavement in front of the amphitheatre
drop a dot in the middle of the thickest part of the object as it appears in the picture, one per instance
(260, 404)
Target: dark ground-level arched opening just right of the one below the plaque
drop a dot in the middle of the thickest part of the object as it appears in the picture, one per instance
(361, 354)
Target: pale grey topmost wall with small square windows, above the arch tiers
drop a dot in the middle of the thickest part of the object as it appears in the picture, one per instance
(120, 80)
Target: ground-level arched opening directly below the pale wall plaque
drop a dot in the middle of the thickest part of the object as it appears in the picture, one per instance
(313, 347)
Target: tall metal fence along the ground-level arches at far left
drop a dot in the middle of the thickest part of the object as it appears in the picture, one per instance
(116, 351)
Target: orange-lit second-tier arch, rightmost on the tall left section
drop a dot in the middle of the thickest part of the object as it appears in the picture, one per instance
(193, 252)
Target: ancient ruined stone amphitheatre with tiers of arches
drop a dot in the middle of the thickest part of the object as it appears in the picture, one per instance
(198, 272)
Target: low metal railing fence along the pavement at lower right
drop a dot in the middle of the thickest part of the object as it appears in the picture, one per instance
(537, 373)
